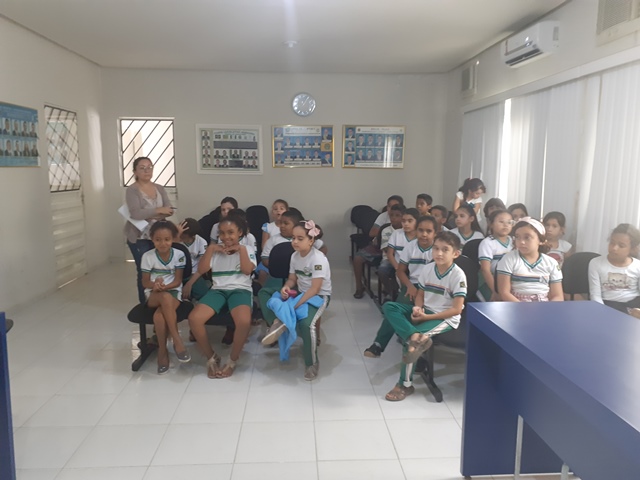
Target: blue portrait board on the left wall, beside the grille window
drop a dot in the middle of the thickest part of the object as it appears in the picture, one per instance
(18, 136)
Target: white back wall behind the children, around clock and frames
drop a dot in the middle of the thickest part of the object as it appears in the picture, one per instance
(325, 195)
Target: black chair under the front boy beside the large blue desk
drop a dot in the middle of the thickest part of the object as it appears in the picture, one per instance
(455, 338)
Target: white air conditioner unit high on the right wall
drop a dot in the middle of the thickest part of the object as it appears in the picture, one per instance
(535, 42)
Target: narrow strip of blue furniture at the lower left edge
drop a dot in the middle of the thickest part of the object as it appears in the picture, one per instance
(7, 459)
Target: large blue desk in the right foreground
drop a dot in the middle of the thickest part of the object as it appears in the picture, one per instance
(571, 370)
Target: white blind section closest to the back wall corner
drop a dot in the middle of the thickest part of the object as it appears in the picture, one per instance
(481, 144)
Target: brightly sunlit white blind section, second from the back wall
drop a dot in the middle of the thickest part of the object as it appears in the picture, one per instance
(526, 151)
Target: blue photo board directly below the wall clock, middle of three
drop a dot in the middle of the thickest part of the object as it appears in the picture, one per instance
(302, 146)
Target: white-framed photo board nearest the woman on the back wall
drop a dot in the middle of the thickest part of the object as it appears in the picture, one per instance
(229, 149)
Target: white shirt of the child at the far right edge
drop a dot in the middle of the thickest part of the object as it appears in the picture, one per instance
(617, 284)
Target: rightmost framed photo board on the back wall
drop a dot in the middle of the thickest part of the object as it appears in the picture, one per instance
(373, 146)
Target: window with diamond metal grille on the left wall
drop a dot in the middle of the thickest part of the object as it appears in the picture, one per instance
(62, 149)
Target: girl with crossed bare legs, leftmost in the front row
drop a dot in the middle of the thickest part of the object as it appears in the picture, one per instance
(162, 270)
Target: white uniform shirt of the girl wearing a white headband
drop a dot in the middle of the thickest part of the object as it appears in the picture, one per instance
(530, 279)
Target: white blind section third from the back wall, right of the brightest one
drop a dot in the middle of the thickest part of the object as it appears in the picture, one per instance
(570, 130)
